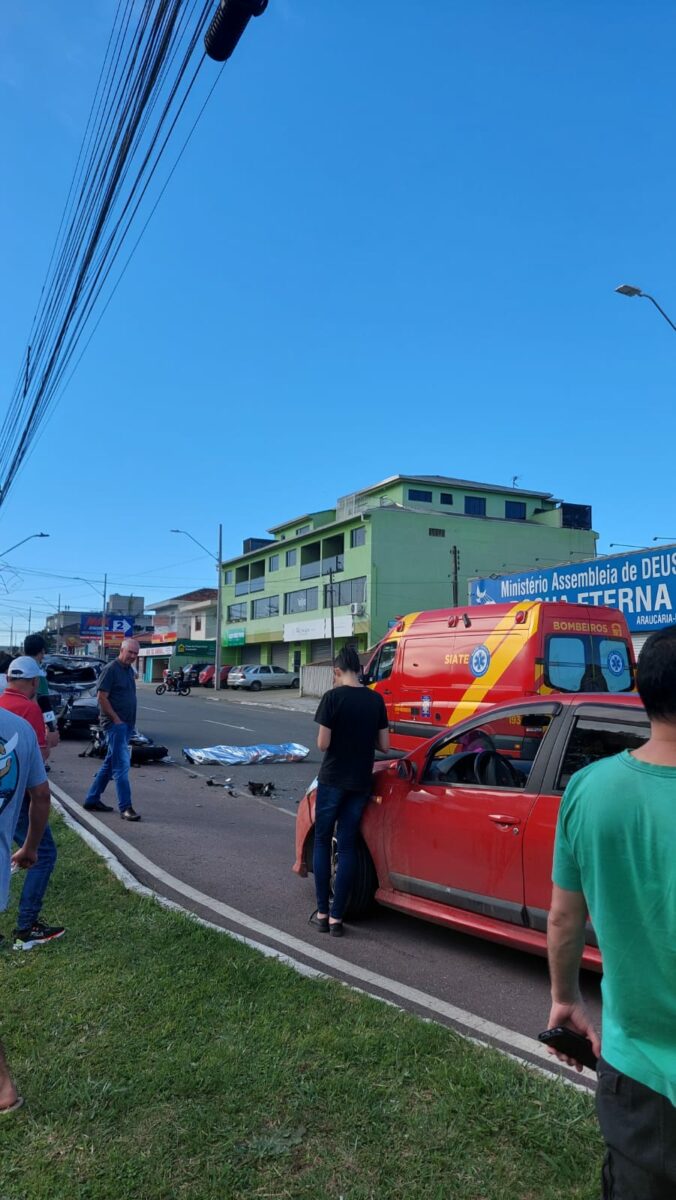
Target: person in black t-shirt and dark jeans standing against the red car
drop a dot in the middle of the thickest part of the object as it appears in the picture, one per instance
(354, 724)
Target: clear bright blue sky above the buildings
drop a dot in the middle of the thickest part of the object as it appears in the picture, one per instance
(392, 247)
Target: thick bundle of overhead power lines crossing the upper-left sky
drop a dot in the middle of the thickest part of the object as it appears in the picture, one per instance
(149, 71)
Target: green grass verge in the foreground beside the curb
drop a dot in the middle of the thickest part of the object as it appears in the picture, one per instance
(164, 1060)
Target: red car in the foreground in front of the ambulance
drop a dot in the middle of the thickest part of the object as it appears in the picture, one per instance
(462, 830)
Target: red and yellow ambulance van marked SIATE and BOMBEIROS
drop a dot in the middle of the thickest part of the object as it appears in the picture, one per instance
(436, 669)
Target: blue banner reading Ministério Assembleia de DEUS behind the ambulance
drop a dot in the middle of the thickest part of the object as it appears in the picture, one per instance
(642, 585)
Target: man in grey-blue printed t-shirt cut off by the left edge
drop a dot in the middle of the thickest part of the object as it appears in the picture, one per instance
(21, 770)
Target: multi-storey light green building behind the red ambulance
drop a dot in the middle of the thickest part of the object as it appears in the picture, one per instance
(406, 544)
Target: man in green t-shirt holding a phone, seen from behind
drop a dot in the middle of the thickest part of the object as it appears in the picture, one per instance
(615, 859)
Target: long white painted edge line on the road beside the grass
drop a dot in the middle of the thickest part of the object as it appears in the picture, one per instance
(481, 1030)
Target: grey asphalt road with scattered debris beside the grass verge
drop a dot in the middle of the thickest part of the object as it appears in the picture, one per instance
(238, 850)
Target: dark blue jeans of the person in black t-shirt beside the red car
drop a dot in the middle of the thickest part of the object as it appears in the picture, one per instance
(340, 809)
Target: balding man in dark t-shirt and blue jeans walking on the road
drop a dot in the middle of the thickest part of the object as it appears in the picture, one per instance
(117, 703)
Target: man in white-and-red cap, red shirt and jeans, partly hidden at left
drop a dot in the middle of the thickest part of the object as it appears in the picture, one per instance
(20, 698)
